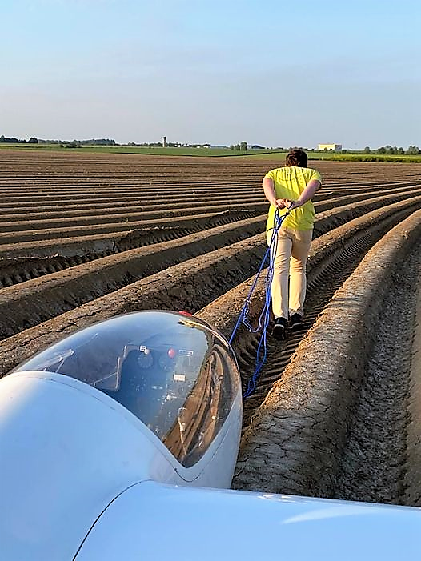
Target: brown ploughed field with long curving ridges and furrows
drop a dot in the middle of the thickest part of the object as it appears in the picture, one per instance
(87, 236)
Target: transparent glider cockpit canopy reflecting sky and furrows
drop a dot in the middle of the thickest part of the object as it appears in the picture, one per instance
(172, 371)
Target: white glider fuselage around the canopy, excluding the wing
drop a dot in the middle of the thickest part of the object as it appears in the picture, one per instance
(68, 450)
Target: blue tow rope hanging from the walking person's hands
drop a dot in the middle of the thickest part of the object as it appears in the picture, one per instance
(264, 316)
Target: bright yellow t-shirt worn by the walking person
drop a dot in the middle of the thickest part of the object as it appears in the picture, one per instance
(290, 182)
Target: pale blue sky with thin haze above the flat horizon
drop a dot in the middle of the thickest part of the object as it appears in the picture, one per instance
(220, 71)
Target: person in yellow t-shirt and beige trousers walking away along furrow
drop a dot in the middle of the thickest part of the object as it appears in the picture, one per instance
(290, 189)
